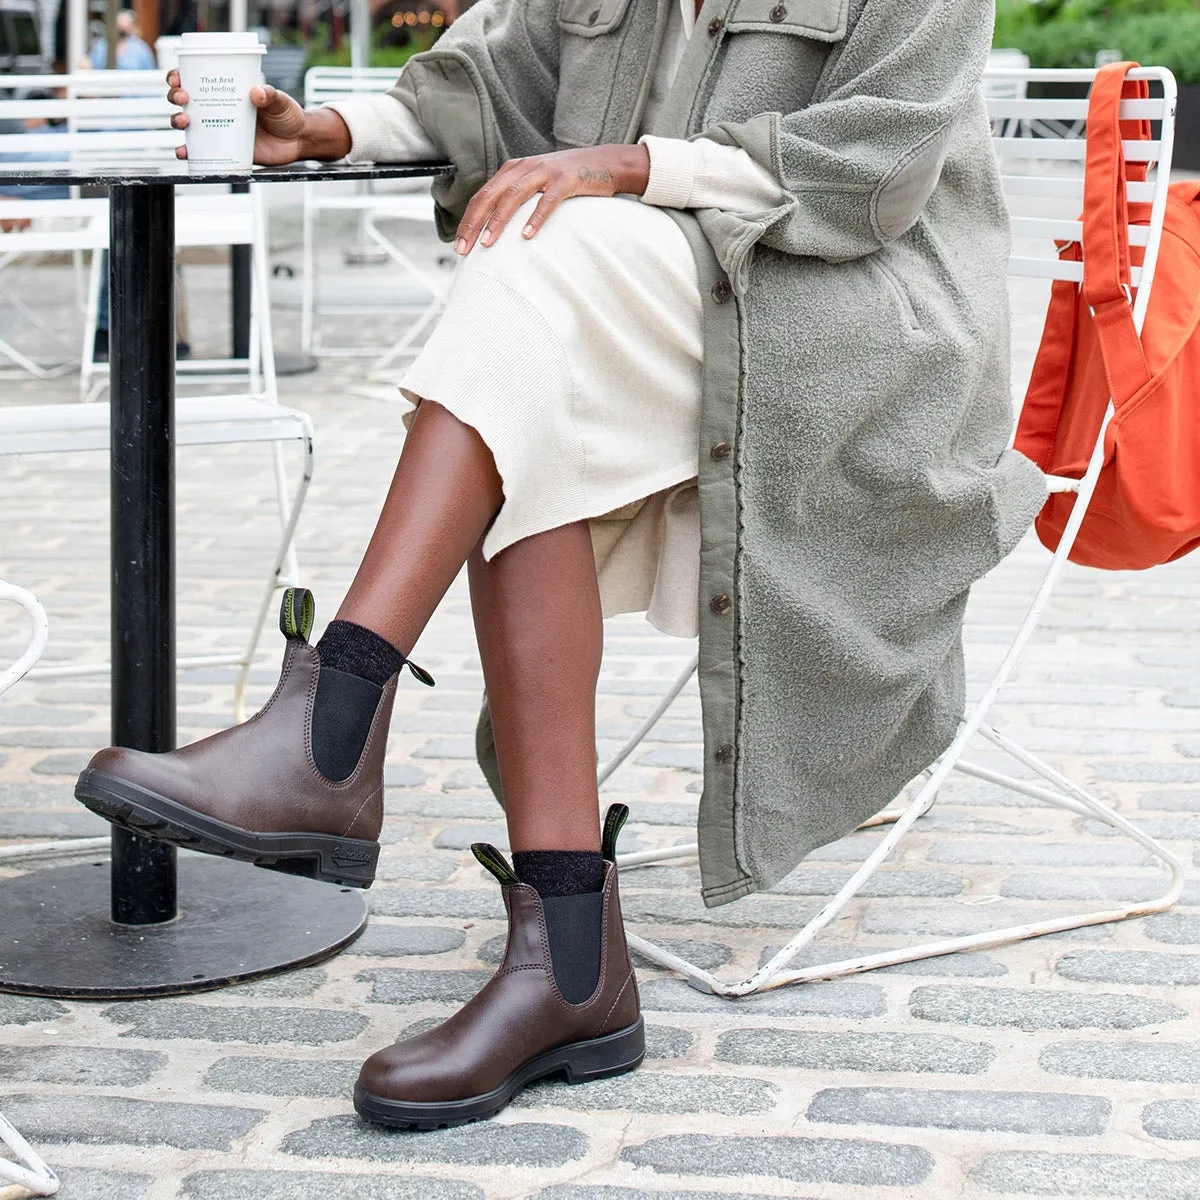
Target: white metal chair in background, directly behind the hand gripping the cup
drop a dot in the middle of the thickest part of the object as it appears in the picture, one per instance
(325, 85)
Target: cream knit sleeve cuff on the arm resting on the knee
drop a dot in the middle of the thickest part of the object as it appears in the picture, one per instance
(705, 175)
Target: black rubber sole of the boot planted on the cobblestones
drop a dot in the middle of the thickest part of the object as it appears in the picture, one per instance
(580, 1063)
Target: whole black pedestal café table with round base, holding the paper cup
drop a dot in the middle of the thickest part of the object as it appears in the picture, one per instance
(149, 926)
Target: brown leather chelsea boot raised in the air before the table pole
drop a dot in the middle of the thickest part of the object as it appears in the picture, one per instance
(259, 791)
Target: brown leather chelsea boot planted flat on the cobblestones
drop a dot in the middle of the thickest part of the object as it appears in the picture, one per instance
(519, 1028)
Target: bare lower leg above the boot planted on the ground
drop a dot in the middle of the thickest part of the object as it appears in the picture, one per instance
(538, 620)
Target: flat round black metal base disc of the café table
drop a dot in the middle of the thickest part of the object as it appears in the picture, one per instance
(236, 923)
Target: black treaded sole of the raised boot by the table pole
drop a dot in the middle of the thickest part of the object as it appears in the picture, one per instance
(349, 862)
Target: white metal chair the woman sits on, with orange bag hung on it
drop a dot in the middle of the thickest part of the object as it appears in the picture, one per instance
(1037, 182)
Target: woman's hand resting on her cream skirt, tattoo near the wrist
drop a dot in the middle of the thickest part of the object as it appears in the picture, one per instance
(599, 171)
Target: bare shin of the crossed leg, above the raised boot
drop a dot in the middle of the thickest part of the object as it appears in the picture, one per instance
(443, 497)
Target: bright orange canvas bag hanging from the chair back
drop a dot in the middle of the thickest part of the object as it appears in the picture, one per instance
(1147, 507)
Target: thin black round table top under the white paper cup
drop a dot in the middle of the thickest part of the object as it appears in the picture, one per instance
(14, 173)
